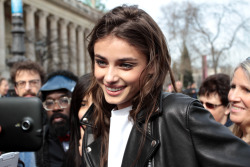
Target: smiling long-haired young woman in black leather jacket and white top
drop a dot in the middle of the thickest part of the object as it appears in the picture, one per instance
(133, 122)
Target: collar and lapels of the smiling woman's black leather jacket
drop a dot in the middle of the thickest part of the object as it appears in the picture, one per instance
(149, 148)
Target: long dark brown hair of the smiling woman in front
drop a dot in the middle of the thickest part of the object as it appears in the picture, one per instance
(137, 28)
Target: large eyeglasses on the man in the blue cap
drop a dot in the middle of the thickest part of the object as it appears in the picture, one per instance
(62, 102)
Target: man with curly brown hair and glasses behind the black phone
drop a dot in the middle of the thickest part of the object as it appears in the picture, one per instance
(28, 77)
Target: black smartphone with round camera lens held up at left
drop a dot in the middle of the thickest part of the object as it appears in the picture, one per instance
(21, 121)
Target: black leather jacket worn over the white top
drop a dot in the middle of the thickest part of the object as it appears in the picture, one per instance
(181, 134)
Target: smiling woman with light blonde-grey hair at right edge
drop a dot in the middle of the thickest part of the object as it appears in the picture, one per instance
(239, 97)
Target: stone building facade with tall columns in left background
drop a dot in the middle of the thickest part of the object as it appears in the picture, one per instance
(55, 34)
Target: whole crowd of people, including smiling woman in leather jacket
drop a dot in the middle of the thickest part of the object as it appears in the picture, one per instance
(119, 115)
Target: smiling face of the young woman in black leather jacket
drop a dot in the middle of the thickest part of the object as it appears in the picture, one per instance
(118, 66)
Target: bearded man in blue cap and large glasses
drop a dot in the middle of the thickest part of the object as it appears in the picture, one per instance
(56, 97)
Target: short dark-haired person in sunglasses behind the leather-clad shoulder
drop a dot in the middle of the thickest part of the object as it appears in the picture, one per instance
(213, 95)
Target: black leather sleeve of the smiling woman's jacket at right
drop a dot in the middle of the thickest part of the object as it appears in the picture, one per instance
(214, 144)
